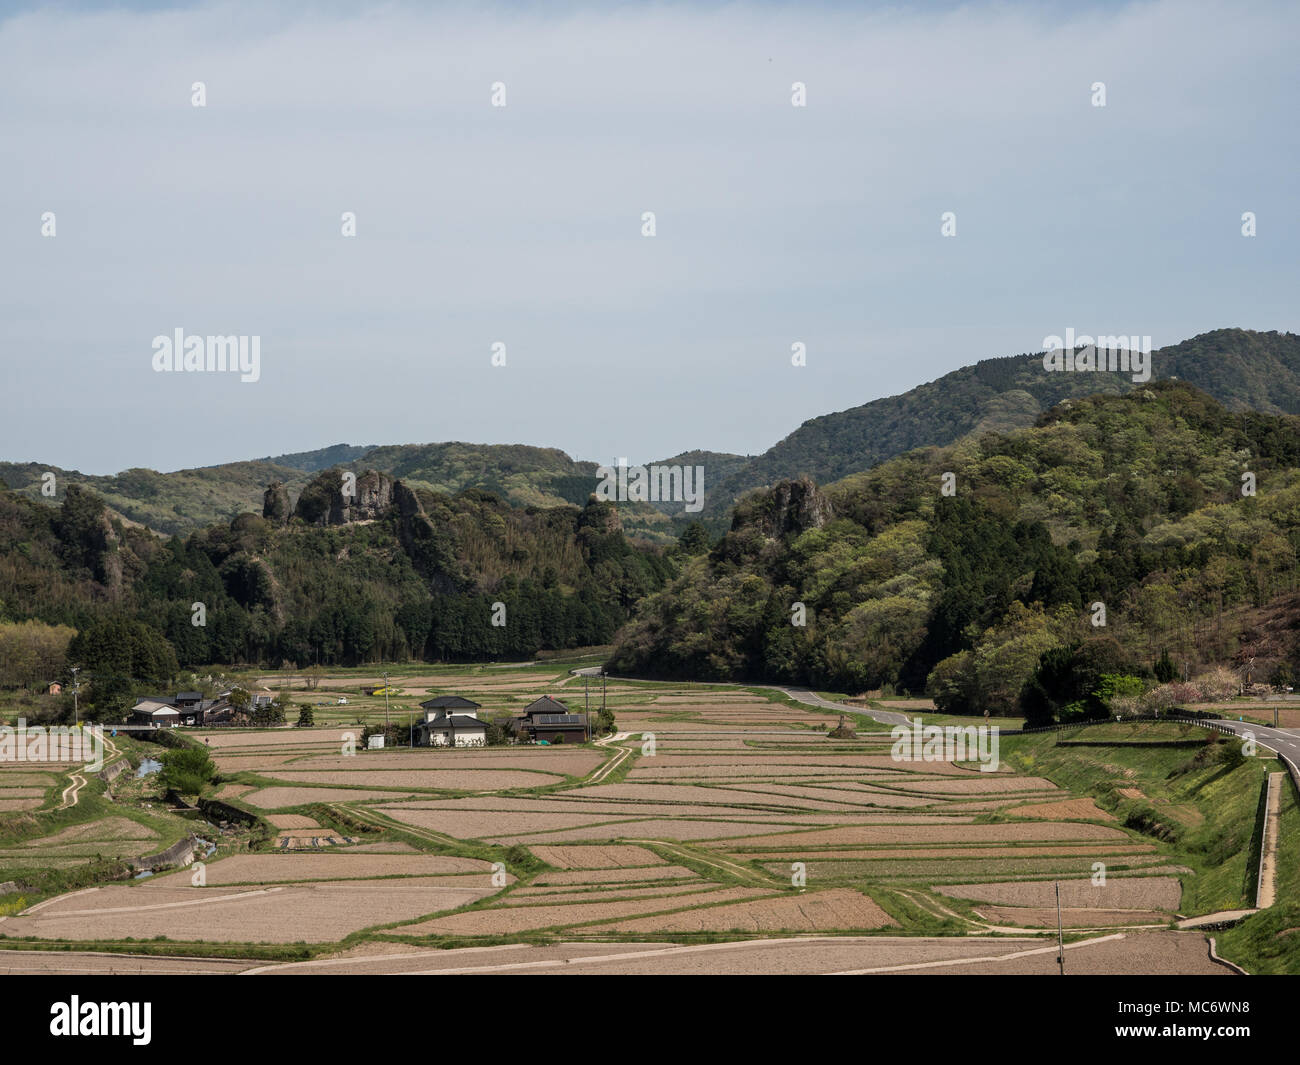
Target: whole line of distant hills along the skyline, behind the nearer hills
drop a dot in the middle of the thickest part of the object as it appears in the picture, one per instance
(1241, 369)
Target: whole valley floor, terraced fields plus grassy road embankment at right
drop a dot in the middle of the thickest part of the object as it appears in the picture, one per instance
(721, 830)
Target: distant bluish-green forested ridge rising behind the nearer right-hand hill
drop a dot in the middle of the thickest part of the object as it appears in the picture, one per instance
(1241, 369)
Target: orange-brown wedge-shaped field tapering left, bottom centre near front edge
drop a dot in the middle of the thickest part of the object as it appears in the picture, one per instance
(817, 912)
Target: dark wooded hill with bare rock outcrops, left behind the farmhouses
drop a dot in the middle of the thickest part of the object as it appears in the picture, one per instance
(392, 574)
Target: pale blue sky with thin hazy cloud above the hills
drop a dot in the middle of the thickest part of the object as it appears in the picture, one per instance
(523, 226)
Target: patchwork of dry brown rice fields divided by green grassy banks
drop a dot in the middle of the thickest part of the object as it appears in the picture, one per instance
(744, 821)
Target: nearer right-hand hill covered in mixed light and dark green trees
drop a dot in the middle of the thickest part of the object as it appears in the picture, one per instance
(1134, 503)
